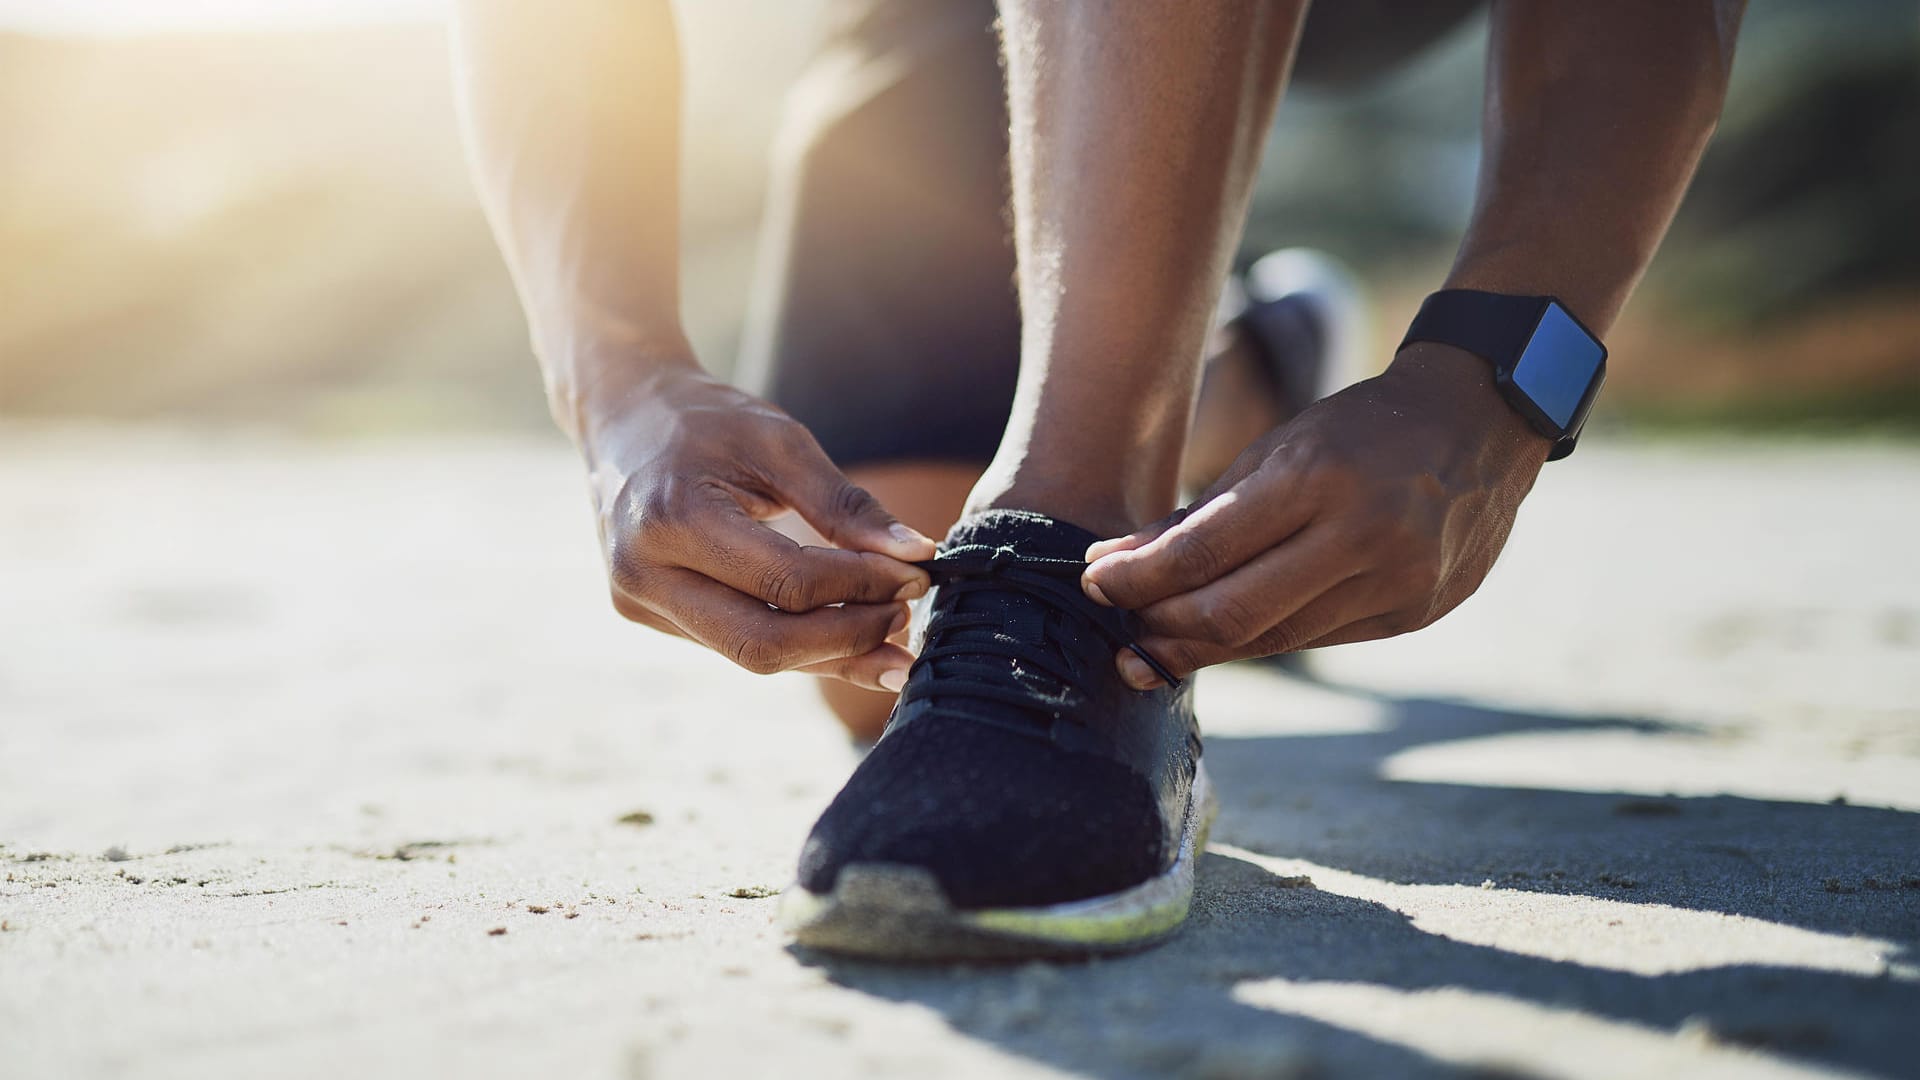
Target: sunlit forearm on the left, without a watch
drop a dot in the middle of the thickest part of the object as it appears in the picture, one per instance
(573, 124)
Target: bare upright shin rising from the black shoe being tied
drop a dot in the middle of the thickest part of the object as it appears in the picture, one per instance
(1136, 195)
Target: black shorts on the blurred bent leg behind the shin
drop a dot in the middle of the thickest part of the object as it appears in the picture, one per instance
(884, 312)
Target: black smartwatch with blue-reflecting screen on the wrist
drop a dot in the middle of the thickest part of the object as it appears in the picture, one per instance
(1547, 364)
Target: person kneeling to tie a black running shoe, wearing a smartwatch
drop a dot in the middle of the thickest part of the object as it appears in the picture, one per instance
(1040, 395)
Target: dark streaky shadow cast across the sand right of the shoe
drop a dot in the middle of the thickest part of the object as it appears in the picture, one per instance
(1322, 798)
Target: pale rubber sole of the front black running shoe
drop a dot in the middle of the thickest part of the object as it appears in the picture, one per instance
(898, 912)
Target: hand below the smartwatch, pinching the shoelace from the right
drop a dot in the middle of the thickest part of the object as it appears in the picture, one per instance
(1372, 514)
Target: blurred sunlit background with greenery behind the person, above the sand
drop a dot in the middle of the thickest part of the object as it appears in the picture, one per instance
(260, 216)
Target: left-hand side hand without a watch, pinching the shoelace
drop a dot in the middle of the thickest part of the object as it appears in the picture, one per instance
(686, 474)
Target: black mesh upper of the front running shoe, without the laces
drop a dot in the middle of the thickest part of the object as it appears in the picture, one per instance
(997, 812)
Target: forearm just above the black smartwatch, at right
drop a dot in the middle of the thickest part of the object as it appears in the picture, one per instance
(1596, 116)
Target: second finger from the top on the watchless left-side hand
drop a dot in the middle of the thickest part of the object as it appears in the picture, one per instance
(750, 556)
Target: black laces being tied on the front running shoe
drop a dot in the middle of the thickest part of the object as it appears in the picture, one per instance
(972, 568)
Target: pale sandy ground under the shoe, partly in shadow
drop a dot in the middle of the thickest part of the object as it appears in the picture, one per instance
(335, 760)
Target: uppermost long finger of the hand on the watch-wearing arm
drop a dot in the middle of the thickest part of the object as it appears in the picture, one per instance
(1207, 545)
